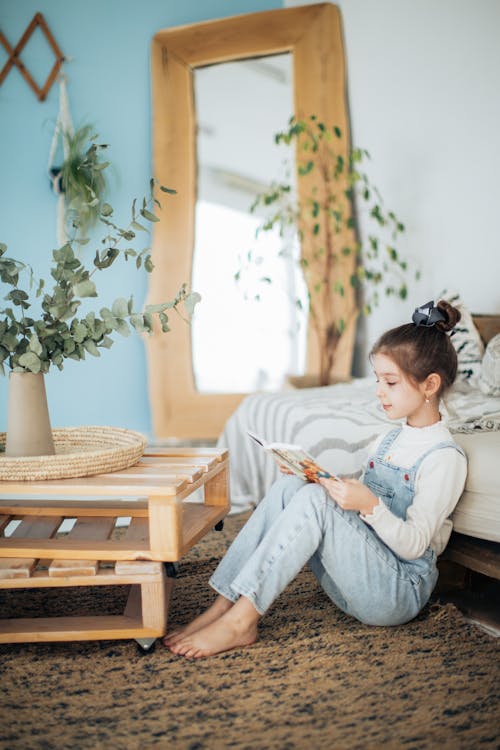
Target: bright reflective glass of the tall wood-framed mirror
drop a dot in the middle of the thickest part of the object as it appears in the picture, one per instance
(248, 335)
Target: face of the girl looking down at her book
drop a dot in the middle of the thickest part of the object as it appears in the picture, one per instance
(399, 396)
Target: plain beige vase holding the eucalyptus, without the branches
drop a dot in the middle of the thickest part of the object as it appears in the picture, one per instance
(28, 422)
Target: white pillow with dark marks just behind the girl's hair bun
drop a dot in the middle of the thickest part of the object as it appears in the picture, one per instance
(467, 342)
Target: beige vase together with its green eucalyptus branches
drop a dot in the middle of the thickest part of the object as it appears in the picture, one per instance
(30, 344)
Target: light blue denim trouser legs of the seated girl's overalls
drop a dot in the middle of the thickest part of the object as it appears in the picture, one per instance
(298, 523)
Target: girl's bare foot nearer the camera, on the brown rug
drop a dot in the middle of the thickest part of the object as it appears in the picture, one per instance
(236, 628)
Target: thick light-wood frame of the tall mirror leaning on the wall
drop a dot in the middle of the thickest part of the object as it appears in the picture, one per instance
(313, 35)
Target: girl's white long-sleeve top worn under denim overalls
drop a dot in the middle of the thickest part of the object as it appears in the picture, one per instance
(439, 483)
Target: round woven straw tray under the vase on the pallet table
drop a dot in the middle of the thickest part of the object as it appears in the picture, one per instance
(80, 452)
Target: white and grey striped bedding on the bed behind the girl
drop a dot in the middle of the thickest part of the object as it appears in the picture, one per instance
(336, 424)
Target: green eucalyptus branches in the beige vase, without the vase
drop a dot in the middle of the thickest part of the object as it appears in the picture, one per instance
(60, 333)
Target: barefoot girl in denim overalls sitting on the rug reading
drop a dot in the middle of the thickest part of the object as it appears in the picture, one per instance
(372, 544)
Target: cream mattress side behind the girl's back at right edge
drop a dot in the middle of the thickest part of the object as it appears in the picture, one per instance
(478, 510)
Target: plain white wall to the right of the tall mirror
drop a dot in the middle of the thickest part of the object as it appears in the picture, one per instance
(423, 89)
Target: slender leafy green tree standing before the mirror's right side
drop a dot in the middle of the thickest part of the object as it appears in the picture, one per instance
(344, 273)
